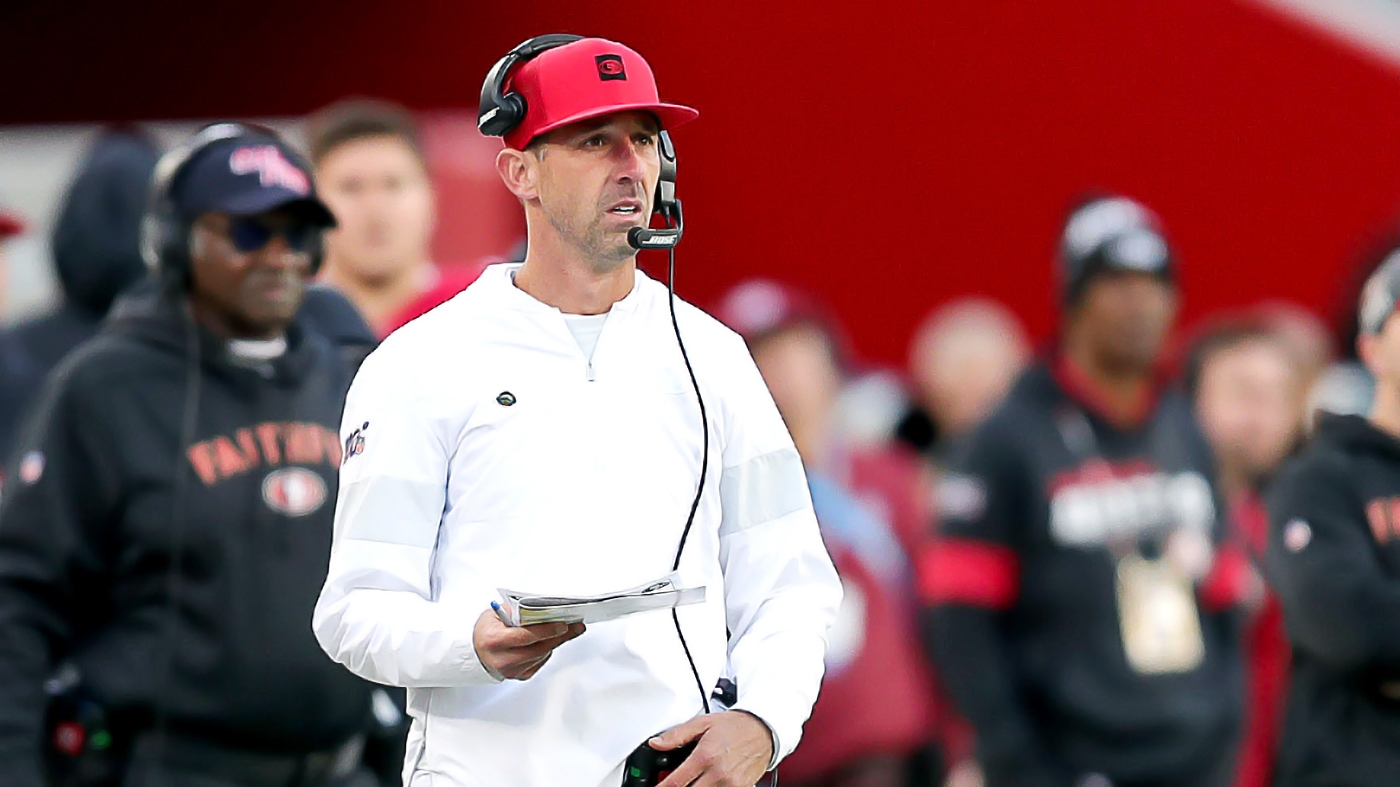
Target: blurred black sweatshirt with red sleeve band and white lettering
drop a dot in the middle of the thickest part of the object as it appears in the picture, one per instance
(1021, 587)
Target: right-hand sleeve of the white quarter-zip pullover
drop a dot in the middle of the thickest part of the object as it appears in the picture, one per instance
(780, 587)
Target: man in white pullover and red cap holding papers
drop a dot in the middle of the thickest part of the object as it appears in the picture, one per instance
(542, 432)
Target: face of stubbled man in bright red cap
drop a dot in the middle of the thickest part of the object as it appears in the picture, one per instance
(597, 181)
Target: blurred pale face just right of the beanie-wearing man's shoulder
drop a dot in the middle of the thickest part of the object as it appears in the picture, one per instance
(1247, 403)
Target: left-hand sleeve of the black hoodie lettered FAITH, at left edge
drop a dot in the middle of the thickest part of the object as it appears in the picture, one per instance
(59, 502)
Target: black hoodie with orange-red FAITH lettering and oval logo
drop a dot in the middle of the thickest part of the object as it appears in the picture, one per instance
(114, 477)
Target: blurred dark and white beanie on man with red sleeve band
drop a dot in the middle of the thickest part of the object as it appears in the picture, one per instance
(1109, 235)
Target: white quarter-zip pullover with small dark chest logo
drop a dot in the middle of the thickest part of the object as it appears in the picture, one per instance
(484, 450)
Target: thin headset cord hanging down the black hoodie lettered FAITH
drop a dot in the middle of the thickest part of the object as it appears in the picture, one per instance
(190, 421)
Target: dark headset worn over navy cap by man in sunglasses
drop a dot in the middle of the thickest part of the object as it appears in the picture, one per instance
(166, 233)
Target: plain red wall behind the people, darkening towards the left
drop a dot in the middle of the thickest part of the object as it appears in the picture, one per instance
(890, 155)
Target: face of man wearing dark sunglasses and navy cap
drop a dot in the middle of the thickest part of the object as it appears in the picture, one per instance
(250, 274)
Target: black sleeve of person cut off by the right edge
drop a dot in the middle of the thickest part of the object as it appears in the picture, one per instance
(1340, 604)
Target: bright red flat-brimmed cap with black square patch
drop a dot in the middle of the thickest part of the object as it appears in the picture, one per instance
(583, 81)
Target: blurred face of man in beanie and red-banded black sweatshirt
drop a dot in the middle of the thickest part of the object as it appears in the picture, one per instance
(1126, 319)
